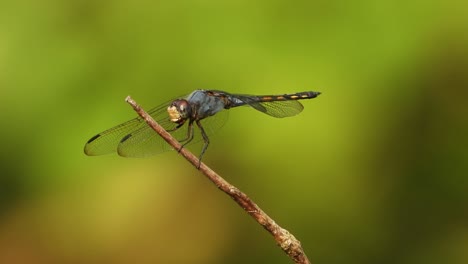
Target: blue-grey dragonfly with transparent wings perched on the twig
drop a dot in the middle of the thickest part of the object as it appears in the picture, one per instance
(205, 109)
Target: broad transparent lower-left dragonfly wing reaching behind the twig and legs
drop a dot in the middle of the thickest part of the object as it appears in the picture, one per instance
(146, 142)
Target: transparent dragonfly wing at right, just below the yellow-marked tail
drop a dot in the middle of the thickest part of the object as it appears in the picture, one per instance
(274, 108)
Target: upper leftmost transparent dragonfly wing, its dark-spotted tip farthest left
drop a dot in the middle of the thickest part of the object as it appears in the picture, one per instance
(107, 142)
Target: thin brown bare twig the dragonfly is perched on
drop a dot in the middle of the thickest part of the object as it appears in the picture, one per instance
(285, 240)
